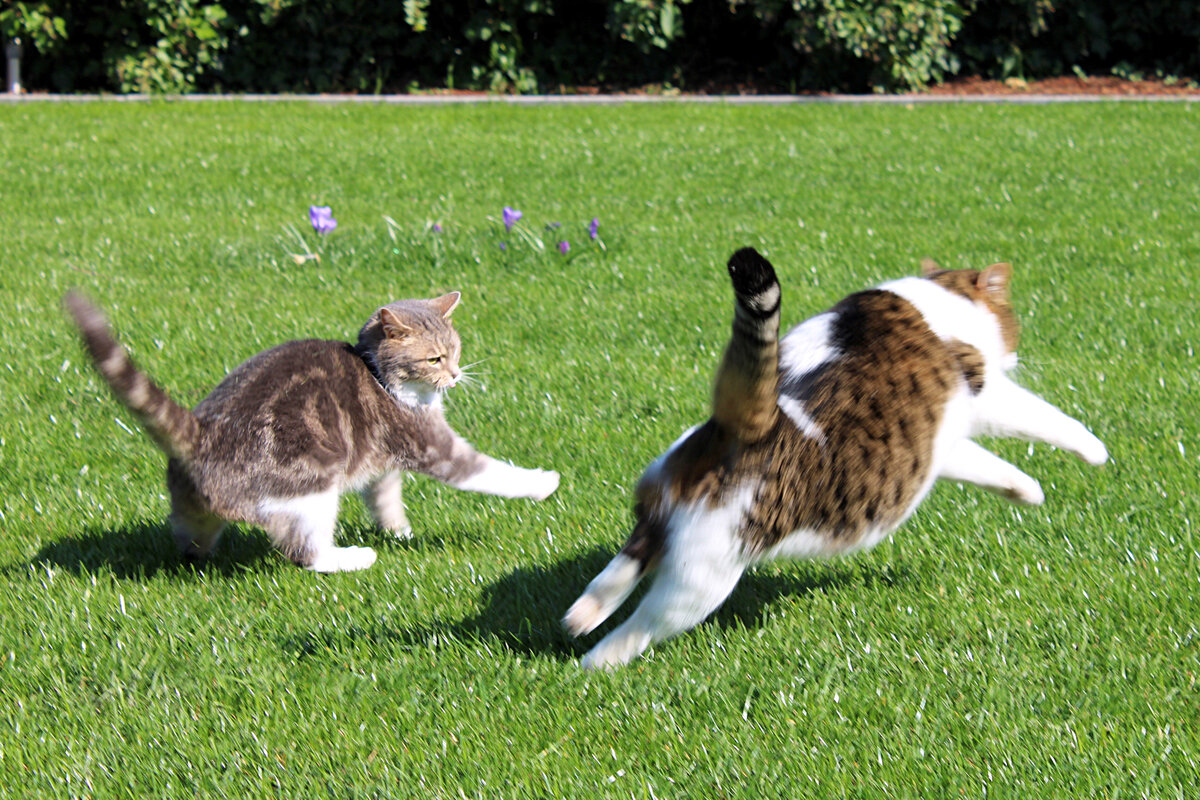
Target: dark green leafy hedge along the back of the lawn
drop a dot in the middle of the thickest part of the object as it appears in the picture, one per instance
(526, 46)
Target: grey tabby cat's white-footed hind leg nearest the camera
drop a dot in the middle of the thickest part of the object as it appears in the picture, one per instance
(303, 528)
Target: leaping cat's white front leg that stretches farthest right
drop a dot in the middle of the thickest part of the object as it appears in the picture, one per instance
(1010, 411)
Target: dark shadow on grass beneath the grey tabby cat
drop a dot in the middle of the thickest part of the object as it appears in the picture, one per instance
(140, 551)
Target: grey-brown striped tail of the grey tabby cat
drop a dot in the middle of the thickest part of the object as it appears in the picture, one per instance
(175, 429)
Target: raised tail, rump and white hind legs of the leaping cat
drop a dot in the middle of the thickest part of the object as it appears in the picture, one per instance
(694, 495)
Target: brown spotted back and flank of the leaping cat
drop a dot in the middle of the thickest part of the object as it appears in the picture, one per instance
(863, 394)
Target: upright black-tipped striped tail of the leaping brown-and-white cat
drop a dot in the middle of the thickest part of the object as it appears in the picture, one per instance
(746, 394)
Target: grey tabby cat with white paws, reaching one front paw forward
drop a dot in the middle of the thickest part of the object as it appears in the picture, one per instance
(287, 432)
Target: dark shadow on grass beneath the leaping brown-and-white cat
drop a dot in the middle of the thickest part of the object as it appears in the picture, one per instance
(521, 612)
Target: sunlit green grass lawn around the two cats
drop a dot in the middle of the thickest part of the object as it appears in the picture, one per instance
(985, 651)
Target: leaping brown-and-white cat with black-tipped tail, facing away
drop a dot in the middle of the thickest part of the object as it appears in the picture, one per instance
(825, 442)
